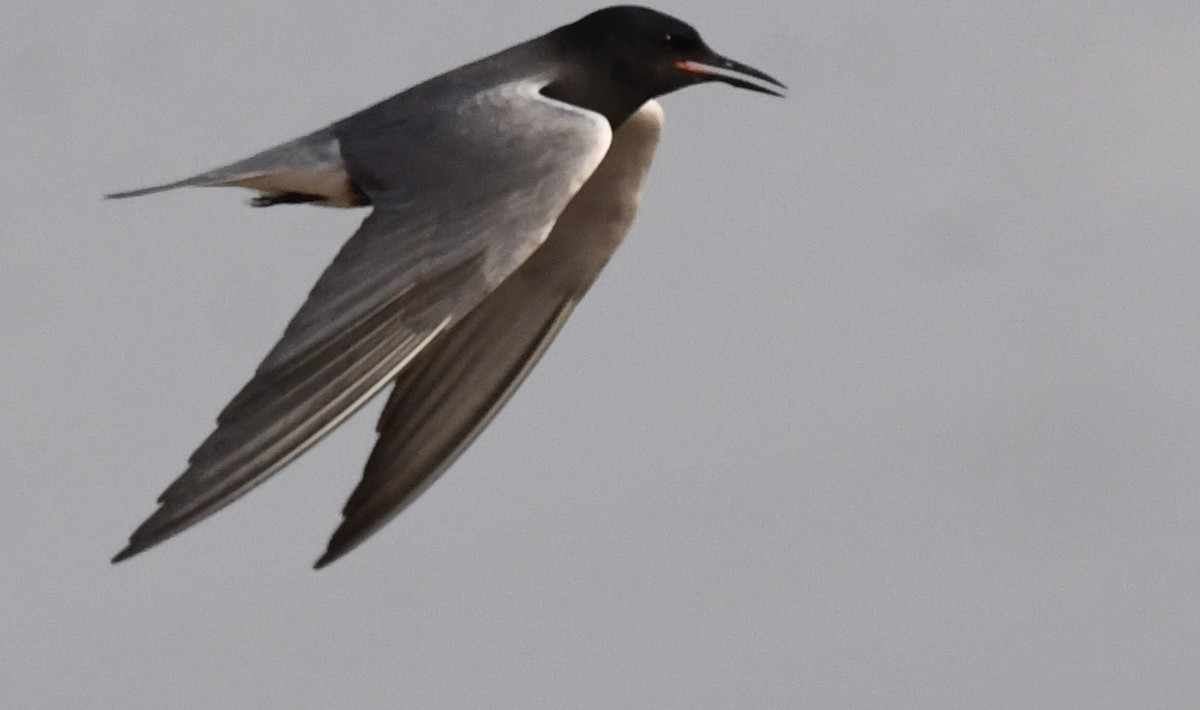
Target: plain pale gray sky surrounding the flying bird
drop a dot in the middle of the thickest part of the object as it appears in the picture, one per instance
(890, 400)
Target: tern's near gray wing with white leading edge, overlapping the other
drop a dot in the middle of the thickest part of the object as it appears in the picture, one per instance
(422, 260)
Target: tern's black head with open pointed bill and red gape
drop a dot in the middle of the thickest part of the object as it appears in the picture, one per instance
(622, 57)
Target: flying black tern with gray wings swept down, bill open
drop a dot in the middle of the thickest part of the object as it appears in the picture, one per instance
(500, 191)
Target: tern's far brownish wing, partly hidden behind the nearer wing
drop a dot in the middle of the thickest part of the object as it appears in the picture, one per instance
(454, 388)
